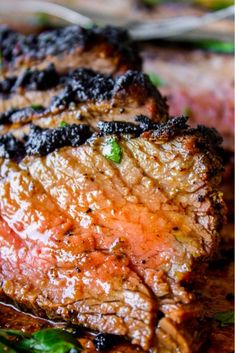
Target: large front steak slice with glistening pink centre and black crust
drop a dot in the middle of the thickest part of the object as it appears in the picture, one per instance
(86, 237)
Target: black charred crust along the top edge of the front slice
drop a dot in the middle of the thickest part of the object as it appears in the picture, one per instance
(43, 141)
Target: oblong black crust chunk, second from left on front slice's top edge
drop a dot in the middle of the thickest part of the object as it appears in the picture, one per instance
(44, 141)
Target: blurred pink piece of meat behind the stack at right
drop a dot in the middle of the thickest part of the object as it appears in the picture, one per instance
(196, 83)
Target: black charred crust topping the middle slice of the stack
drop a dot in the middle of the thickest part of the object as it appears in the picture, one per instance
(80, 85)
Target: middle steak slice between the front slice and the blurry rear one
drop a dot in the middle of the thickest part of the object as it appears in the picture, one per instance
(86, 97)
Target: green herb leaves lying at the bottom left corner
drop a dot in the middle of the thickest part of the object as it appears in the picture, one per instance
(43, 341)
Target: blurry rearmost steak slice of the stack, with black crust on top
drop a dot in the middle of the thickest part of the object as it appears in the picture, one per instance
(108, 50)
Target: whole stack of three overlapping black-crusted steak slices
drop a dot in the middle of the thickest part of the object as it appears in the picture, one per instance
(108, 206)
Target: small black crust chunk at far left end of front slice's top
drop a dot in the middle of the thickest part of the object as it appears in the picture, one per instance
(11, 148)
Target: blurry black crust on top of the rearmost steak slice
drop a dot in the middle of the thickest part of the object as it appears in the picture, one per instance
(15, 45)
